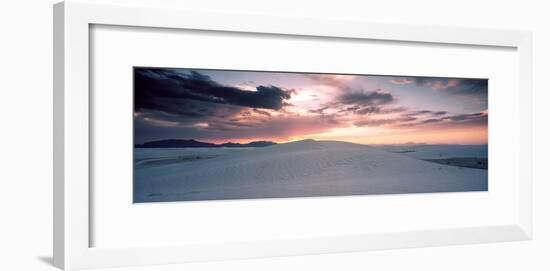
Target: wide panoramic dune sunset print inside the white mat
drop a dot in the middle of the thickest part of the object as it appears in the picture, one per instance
(204, 134)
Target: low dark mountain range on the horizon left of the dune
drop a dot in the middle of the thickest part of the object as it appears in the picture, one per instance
(191, 143)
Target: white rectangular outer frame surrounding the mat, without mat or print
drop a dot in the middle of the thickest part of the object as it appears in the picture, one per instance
(72, 20)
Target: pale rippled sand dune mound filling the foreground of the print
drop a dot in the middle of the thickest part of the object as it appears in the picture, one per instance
(301, 169)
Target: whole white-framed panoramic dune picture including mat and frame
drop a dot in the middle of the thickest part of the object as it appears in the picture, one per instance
(188, 136)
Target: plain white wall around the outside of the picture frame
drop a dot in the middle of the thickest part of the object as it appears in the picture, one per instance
(26, 133)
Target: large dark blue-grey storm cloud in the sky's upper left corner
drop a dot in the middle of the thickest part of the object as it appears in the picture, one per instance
(170, 91)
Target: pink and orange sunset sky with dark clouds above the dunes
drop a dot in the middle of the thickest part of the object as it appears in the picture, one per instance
(221, 106)
